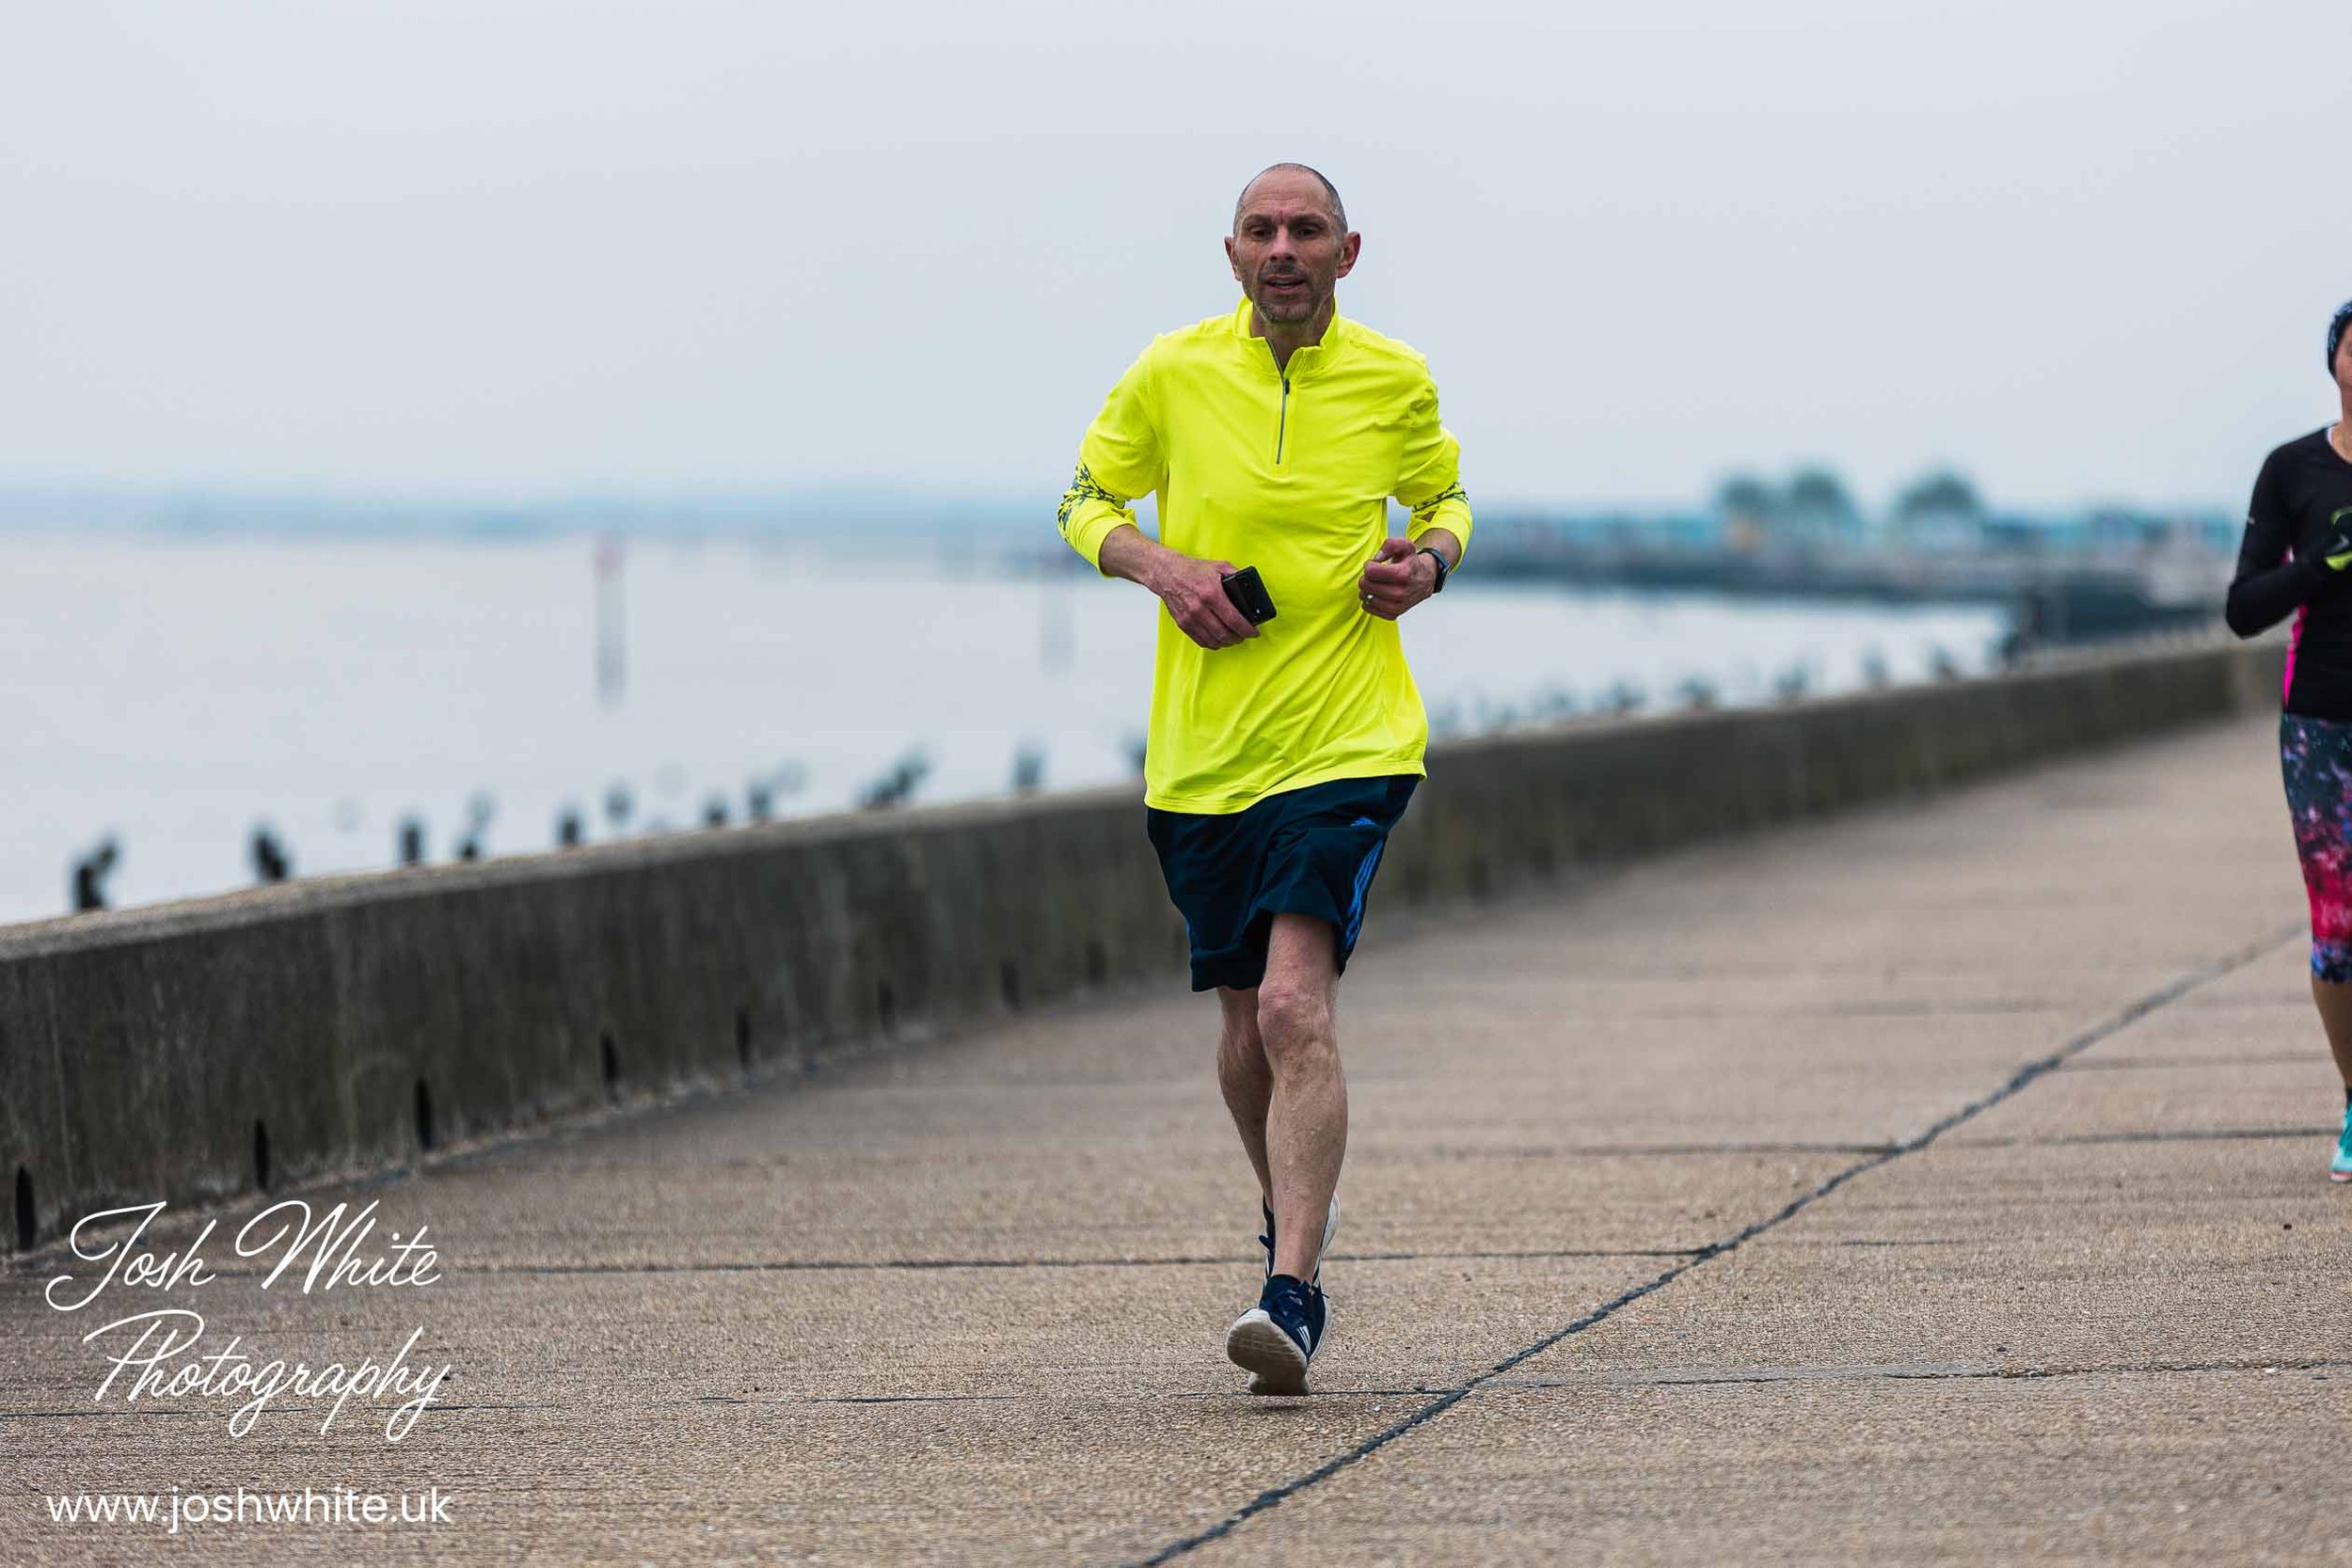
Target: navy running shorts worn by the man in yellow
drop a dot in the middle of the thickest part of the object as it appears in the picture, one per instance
(1299, 852)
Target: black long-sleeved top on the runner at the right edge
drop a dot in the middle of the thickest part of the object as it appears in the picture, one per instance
(2297, 500)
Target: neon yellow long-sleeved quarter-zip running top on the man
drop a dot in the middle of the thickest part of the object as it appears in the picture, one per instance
(1290, 476)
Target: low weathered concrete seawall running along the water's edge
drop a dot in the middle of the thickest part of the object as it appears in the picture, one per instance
(342, 1026)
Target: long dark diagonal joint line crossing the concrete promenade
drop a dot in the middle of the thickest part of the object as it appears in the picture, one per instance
(2130, 1014)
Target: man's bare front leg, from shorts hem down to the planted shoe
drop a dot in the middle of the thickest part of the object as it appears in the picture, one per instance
(1307, 1115)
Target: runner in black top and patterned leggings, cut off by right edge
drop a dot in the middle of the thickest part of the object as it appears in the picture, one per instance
(2299, 544)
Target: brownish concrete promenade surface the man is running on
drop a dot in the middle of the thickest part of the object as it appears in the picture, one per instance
(1942, 1184)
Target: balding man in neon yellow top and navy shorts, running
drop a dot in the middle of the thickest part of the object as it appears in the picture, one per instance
(1281, 753)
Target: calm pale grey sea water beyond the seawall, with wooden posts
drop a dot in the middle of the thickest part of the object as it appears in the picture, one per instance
(180, 695)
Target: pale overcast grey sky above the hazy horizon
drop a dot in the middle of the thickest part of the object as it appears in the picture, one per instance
(528, 248)
